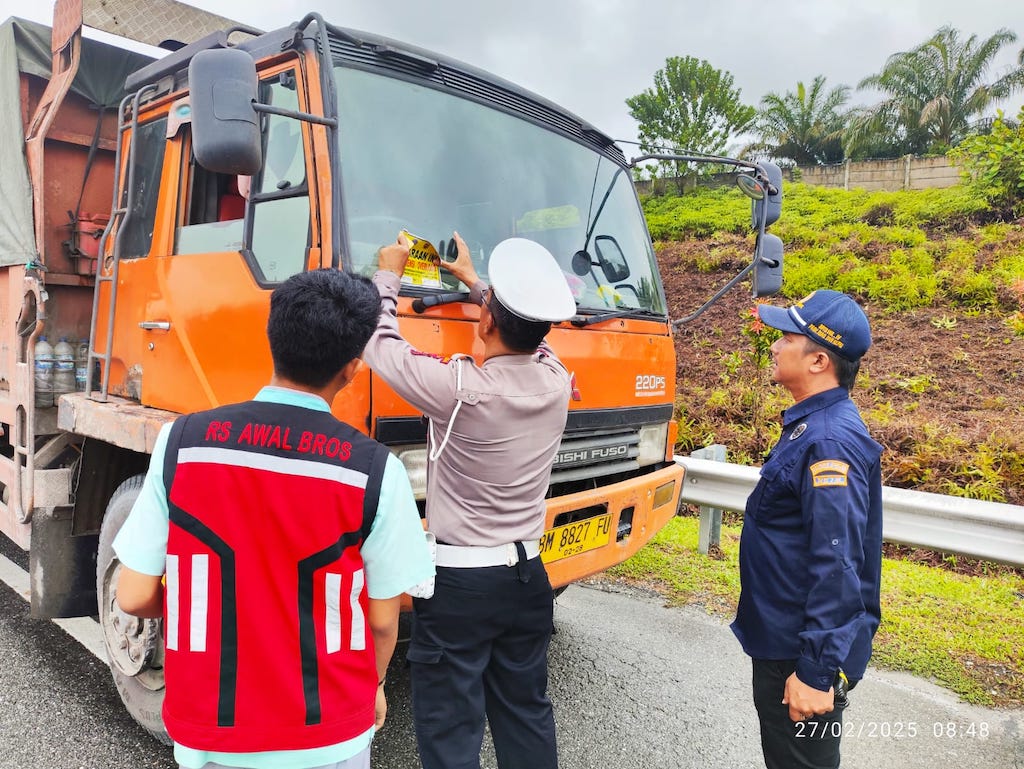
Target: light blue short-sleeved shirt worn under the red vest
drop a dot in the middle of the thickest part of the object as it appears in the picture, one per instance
(395, 558)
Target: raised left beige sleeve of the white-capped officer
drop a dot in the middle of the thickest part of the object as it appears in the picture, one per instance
(424, 380)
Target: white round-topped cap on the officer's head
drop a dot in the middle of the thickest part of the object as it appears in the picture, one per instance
(529, 282)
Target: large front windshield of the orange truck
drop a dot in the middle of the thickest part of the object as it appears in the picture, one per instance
(418, 159)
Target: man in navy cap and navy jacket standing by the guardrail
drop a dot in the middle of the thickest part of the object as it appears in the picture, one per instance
(810, 554)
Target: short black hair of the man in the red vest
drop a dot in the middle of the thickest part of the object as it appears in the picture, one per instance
(320, 322)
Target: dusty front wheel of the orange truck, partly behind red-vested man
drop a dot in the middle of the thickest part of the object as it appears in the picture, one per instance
(135, 647)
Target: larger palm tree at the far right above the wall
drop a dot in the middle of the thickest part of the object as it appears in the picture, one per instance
(934, 92)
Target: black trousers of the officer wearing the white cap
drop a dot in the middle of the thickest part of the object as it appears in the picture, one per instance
(480, 649)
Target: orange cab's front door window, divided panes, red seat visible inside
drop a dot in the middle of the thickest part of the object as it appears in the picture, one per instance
(215, 204)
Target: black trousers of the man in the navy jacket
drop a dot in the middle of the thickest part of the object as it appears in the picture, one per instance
(788, 745)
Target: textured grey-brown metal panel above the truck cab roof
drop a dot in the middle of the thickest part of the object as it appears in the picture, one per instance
(154, 22)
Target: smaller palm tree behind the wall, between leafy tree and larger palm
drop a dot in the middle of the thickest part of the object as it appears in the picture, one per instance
(805, 126)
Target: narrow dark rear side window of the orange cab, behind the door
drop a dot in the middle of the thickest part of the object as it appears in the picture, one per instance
(137, 232)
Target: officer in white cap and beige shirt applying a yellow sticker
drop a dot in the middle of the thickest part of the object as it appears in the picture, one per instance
(480, 646)
